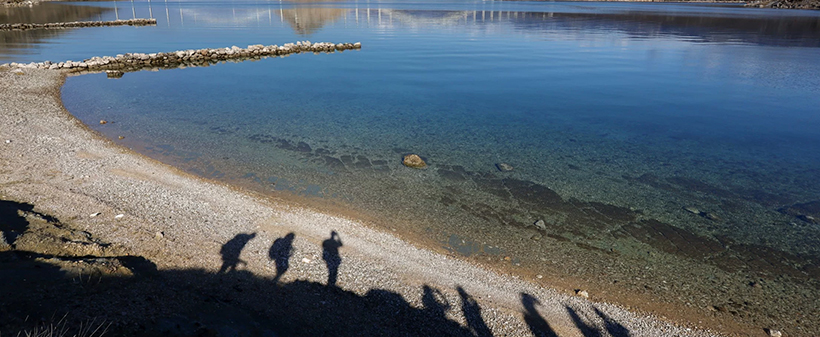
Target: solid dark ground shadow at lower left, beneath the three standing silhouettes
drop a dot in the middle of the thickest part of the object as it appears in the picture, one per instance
(196, 302)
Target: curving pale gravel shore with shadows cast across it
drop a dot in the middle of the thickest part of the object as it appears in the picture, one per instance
(188, 228)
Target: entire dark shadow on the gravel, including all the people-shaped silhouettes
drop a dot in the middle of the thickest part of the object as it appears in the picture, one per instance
(146, 301)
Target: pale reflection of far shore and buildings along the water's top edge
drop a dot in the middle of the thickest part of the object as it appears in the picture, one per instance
(306, 18)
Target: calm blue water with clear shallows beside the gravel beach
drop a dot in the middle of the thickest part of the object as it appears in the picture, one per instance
(619, 119)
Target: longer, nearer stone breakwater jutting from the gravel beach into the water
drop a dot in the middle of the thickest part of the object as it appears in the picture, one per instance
(115, 66)
